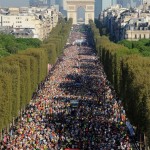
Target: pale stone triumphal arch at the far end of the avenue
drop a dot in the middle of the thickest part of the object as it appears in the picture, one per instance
(73, 5)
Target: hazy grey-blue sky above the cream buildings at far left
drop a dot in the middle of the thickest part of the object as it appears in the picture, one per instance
(17, 3)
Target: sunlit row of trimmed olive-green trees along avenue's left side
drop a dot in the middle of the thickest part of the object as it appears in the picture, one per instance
(21, 73)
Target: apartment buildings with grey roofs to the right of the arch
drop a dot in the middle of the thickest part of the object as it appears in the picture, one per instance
(123, 23)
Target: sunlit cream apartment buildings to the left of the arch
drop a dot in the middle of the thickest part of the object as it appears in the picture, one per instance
(38, 20)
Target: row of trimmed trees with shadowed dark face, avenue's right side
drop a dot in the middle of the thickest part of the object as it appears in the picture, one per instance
(129, 72)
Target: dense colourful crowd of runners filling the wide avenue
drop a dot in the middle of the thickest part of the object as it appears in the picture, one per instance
(77, 108)
